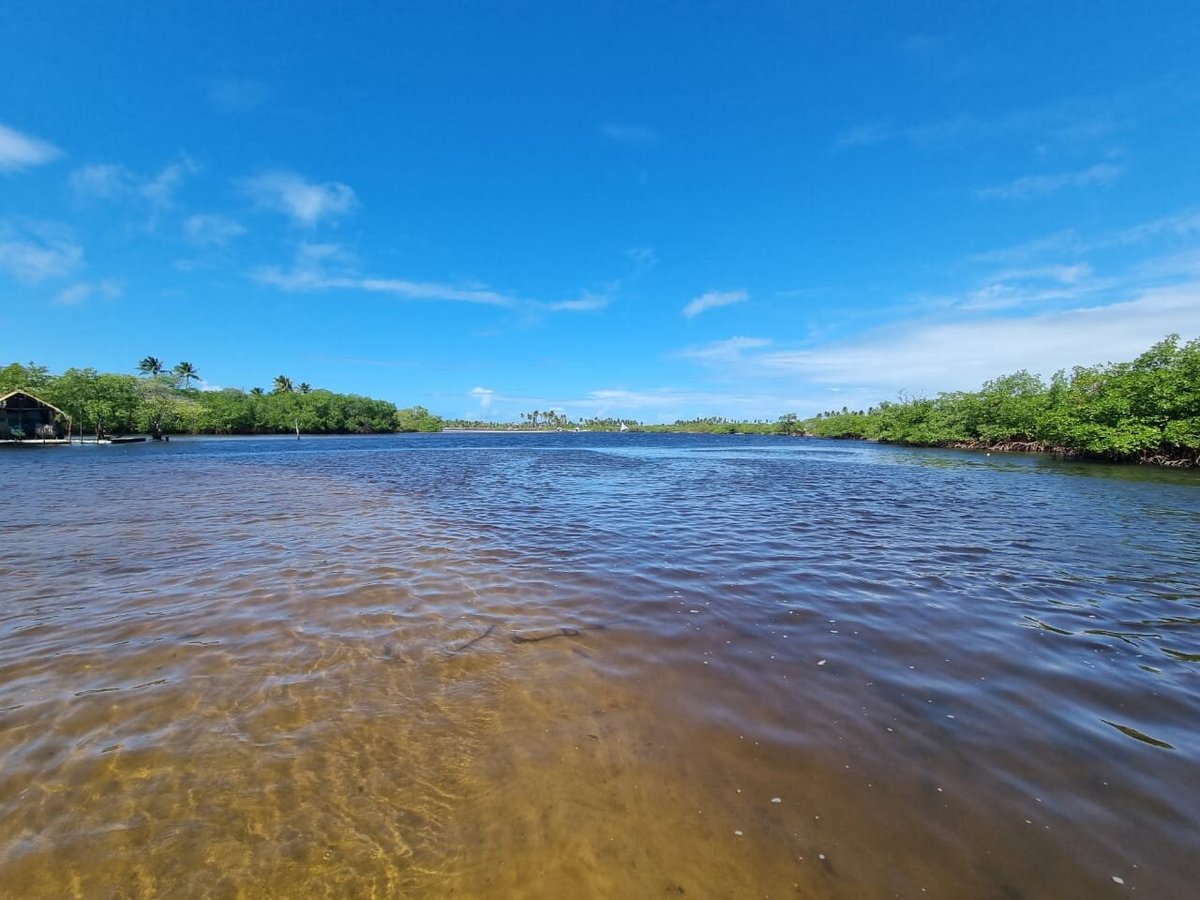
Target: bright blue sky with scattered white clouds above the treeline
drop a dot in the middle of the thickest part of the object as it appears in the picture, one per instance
(739, 209)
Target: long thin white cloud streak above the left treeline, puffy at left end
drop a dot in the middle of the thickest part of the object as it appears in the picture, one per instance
(329, 267)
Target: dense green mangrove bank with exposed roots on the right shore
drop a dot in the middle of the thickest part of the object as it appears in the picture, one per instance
(1147, 411)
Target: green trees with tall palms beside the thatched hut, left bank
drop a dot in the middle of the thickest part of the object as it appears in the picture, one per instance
(157, 404)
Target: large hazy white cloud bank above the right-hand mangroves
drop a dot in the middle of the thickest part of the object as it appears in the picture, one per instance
(1070, 298)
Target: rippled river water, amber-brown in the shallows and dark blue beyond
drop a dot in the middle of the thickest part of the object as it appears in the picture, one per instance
(596, 665)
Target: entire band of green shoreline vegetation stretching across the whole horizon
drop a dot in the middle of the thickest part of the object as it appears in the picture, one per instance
(1145, 411)
